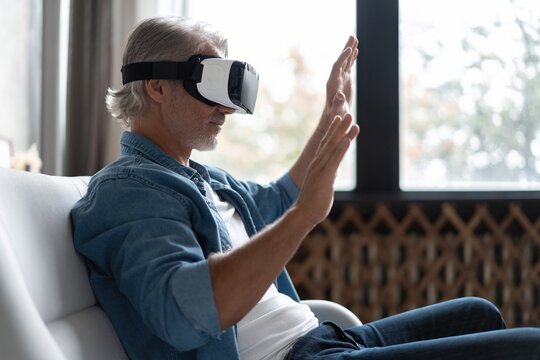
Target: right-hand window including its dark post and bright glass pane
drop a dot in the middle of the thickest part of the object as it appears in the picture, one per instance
(443, 90)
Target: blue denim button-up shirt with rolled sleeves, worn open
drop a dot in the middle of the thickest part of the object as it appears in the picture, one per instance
(145, 230)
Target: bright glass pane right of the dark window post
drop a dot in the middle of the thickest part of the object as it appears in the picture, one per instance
(470, 94)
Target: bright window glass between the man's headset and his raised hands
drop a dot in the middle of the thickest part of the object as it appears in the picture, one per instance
(292, 45)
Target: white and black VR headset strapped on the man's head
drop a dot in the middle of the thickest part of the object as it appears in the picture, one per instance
(212, 80)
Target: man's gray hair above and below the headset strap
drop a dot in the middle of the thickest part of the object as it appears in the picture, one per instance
(158, 39)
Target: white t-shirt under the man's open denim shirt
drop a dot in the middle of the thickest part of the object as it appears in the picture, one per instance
(270, 329)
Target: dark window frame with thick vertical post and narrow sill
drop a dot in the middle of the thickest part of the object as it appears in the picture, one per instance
(378, 114)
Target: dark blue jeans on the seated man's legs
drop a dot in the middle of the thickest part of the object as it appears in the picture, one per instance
(461, 329)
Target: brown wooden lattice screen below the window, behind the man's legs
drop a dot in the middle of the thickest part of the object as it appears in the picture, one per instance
(378, 265)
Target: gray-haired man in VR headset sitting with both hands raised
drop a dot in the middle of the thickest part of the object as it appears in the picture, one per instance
(188, 262)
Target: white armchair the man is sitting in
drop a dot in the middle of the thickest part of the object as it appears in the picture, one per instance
(47, 308)
